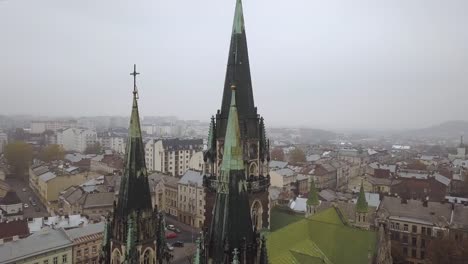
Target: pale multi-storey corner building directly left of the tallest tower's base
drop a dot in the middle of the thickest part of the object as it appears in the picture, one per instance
(191, 201)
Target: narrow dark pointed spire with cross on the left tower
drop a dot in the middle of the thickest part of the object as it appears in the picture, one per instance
(134, 189)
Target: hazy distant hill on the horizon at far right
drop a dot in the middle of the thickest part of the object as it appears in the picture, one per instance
(446, 130)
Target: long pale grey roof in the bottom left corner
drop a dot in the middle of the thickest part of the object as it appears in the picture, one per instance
(41, 242)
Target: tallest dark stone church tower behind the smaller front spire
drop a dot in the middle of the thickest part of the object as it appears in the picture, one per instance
(253, 143)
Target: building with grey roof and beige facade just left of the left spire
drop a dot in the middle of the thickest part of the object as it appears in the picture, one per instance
(87, 242)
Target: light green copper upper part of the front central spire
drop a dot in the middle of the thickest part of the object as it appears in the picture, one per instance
(232, 158)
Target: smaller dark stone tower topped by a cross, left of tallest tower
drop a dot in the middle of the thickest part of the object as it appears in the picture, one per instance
(134, 229)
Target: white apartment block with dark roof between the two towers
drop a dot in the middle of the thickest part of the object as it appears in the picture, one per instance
(171, 156)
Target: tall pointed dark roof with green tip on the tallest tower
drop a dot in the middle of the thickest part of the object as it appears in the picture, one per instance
(238, 69)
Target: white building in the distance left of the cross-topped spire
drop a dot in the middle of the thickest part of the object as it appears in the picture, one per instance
(76, 139)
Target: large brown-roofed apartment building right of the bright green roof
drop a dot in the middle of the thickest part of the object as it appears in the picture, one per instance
(413, 224)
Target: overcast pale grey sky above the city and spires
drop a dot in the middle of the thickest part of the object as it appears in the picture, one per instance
(323, 64)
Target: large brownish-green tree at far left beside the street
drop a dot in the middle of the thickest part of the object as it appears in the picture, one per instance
(19, 155)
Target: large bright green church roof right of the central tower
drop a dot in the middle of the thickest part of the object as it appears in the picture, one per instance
(323, 238)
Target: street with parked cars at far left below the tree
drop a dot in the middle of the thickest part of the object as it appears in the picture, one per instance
(30, 212)
